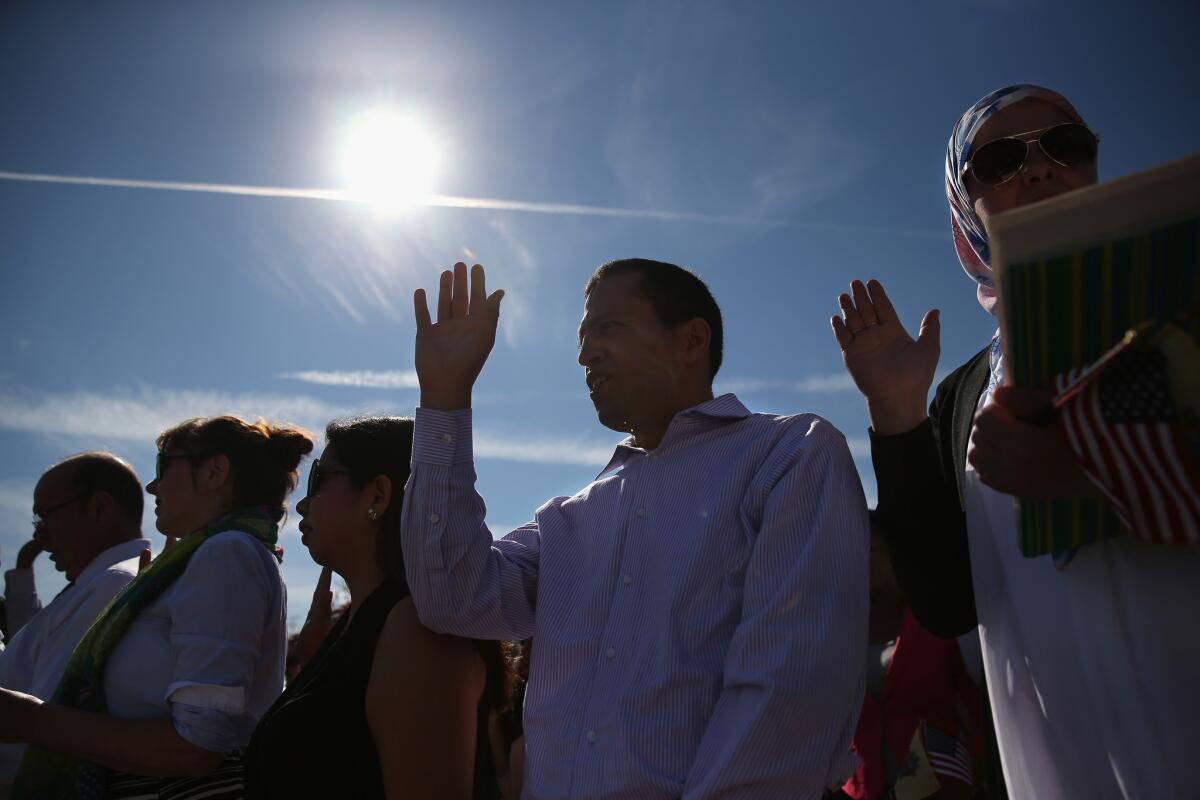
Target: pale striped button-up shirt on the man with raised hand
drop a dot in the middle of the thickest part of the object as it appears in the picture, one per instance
(699, 611)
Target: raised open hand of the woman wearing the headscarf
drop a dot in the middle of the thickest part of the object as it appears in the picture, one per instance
(890, 368)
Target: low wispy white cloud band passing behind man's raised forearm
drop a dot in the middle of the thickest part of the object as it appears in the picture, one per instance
(141, 414)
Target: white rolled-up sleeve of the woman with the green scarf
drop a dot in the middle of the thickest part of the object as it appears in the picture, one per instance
(219, 615)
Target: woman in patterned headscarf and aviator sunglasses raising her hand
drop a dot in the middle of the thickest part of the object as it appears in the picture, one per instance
(1091, 663)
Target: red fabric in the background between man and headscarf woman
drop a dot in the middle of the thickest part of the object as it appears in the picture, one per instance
(926, 681)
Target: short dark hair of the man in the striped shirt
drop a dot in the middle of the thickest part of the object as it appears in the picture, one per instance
(676, 294)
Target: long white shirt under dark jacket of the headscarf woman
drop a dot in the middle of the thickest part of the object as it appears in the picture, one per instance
(1094, 671)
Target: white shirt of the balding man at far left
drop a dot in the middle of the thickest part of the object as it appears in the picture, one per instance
(39, 653)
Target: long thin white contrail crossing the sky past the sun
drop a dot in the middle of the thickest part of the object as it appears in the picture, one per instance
(453, 202)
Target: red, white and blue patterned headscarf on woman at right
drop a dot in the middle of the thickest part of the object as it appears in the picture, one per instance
(970, 238)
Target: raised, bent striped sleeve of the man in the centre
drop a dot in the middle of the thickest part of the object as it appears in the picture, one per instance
(463, 581)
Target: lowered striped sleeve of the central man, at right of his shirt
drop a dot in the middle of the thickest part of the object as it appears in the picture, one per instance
(794, 675)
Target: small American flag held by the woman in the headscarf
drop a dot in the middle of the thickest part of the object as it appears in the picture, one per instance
(1133, 442)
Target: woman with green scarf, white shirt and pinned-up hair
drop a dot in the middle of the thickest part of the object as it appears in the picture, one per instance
(176, 673)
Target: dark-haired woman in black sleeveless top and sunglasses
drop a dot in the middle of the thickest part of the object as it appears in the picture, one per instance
(386, 708)
